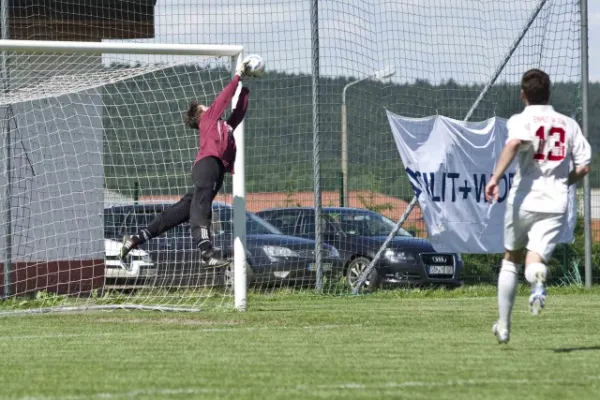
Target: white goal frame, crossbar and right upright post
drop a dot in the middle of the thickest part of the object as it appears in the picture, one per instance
(235, 52)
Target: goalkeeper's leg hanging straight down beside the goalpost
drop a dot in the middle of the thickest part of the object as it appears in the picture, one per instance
(208, 174)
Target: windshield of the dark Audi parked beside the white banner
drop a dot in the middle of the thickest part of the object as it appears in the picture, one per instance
(364, 223)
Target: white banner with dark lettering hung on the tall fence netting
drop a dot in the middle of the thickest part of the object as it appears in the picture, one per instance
(448, 163)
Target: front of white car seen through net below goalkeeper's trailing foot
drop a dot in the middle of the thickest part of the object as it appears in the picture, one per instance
(141, 263)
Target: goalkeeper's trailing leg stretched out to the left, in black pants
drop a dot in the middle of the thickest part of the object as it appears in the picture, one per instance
(171, 217)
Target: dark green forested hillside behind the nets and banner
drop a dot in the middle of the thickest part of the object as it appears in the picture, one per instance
(145, 139)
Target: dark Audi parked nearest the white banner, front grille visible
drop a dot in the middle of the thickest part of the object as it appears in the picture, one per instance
(358, 234)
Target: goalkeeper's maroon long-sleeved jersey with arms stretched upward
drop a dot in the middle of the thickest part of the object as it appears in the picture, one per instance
(215, 134)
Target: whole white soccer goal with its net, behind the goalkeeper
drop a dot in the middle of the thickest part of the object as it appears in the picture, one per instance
(81, 122)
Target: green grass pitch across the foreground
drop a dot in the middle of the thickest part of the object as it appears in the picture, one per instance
(392, 344)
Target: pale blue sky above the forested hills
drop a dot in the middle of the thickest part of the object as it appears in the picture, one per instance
(436, 40)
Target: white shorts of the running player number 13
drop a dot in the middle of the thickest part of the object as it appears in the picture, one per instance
(538, 232)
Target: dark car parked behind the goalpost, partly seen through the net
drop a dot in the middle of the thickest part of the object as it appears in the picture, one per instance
(272, 257)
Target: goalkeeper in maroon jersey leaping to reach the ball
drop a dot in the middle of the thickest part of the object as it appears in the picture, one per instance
(215, 157)
